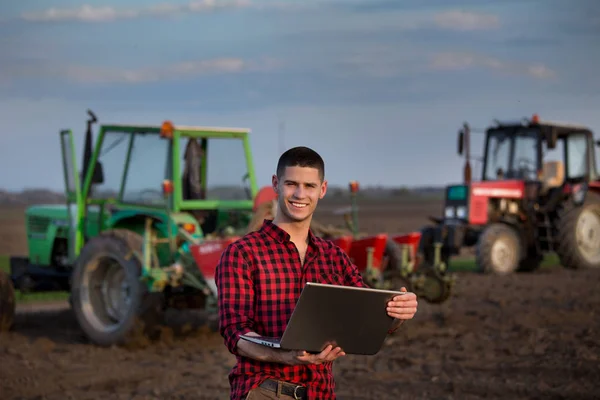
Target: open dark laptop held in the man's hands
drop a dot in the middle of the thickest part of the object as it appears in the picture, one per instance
(351, 317)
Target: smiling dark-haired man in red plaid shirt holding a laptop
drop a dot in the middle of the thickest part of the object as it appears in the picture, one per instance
(260, 277)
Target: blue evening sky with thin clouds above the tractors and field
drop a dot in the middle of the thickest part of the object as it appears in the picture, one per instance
(378, 87)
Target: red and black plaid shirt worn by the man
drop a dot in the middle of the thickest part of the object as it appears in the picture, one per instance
(259, 278)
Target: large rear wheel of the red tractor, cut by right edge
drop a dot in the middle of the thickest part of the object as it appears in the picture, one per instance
(578, 244)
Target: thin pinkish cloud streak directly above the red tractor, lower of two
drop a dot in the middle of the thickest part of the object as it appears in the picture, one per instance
(460, 61)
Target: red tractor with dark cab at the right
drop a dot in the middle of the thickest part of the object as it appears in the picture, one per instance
(539, 192)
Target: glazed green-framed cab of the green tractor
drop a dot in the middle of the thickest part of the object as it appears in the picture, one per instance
(200, 177)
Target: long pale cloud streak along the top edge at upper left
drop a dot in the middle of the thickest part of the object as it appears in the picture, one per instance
(89, 13)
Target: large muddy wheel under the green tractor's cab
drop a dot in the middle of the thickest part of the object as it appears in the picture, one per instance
(111, 304)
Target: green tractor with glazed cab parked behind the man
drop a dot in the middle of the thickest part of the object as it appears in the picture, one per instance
(143, 226)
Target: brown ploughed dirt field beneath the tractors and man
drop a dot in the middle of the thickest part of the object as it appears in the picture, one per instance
(524, 336)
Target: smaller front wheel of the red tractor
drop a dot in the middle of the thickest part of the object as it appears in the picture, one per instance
(498, 250)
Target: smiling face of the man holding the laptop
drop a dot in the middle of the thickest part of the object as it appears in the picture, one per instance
(299, 190)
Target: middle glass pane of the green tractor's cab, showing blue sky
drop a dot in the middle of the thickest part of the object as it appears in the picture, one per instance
(149, 164)
